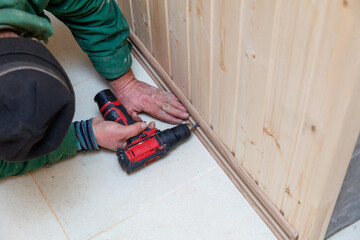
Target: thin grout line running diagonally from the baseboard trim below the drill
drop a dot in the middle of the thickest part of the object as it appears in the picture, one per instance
(155, 202)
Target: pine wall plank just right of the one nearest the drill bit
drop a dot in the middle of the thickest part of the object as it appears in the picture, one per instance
(225, 48)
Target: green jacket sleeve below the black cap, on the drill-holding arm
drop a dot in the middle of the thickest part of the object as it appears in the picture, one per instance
(67, 149)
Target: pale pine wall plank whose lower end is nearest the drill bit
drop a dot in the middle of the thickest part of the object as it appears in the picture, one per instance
(199, 34)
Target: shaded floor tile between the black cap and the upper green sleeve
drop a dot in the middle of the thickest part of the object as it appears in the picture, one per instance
(64, 47)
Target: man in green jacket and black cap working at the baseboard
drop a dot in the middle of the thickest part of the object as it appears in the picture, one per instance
(37, 99)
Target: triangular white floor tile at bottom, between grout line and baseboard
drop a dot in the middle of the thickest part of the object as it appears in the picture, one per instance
(210, 208)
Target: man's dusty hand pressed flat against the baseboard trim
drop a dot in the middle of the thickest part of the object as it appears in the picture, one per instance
(139, 97)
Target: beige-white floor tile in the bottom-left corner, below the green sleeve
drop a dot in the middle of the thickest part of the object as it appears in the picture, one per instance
(24, 212)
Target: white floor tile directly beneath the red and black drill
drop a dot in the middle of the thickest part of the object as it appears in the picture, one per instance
(91, 192)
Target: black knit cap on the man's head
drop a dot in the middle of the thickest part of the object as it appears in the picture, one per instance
(37, 101)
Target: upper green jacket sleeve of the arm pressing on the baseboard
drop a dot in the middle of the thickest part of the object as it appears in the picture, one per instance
(101, 31)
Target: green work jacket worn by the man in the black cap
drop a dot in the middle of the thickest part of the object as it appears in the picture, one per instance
(99, 28)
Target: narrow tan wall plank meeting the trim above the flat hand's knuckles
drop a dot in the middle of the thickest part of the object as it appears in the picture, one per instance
(159, 32)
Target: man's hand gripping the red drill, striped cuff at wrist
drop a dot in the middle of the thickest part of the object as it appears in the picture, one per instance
(112, 135)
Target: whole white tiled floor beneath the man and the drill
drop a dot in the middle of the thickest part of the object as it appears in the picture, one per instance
(183, 196)
